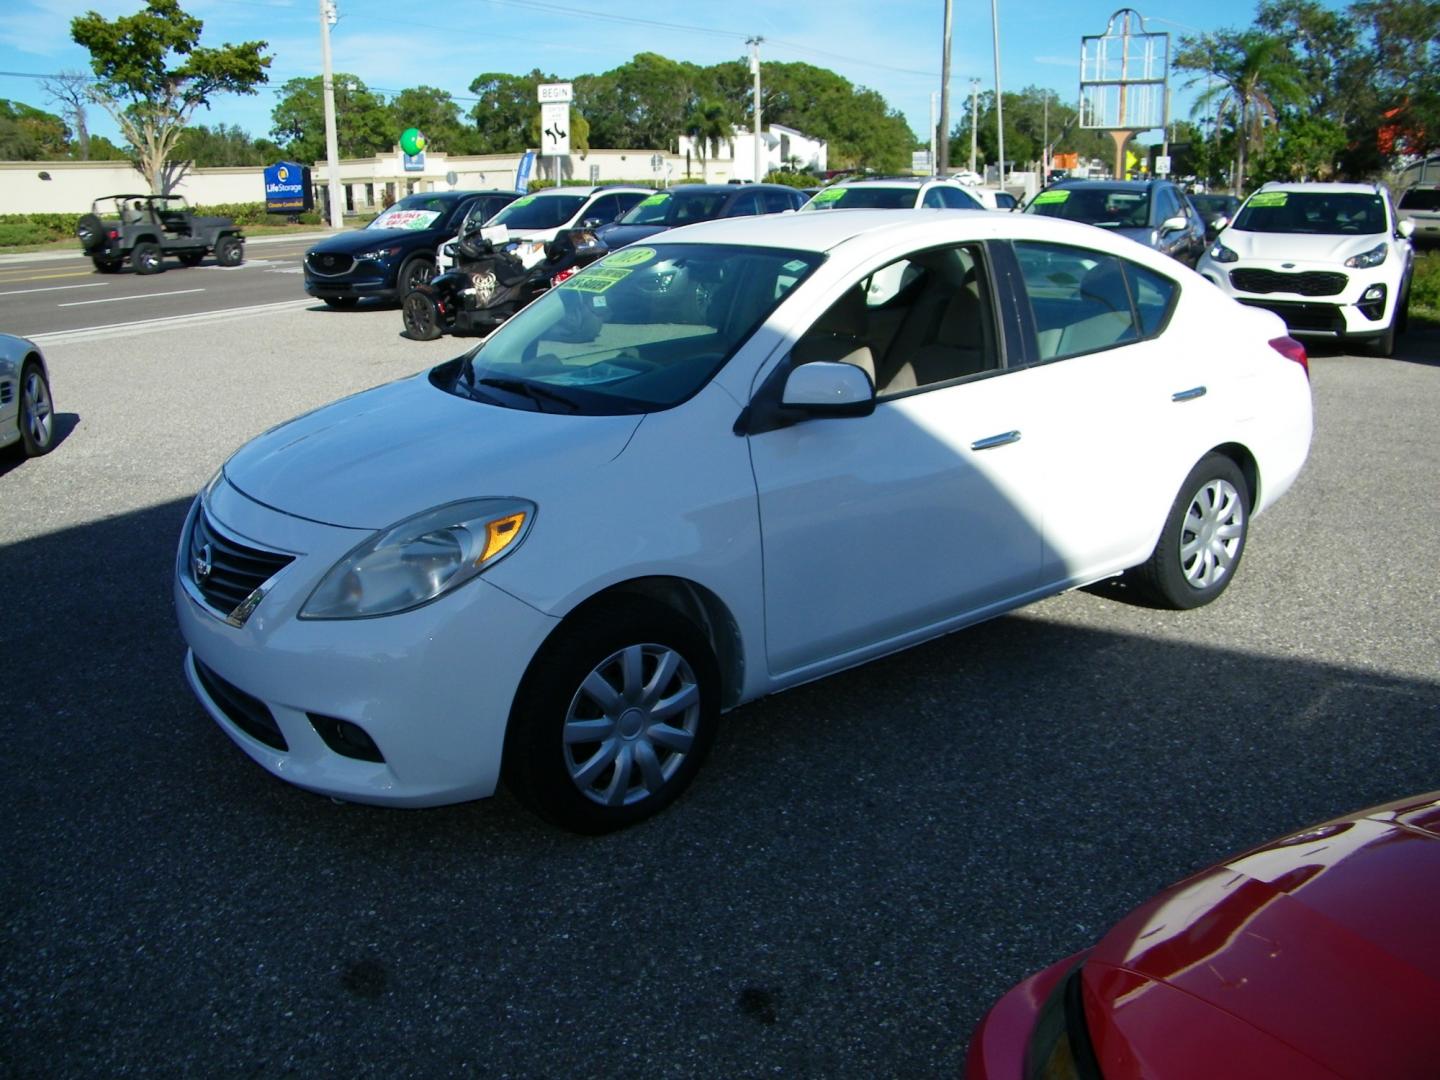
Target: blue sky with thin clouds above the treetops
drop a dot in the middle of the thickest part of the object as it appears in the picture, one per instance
(892, 48)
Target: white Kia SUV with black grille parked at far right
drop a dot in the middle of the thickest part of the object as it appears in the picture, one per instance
(1331, 260)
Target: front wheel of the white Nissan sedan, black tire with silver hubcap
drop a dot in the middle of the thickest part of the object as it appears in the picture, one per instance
(665, 714)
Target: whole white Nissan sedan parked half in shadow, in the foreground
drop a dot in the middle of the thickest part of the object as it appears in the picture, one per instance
(711, 467)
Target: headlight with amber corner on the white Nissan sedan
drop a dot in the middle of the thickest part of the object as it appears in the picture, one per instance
(421, 559)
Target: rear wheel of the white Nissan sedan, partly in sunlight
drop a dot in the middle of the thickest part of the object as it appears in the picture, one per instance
(1213, 509)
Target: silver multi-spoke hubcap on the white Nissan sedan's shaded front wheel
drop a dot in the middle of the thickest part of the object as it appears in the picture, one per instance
(631, 725)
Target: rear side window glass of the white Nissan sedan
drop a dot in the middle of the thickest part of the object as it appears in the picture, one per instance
(1086, 302)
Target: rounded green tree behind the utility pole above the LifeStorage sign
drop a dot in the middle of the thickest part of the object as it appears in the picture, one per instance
(364, 122)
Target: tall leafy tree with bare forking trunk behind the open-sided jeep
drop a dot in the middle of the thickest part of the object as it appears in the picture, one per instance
(153, 76)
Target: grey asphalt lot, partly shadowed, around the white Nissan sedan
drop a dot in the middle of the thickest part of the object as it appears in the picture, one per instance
(863, 866)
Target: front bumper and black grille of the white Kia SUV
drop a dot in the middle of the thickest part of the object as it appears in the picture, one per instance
(1351, 310)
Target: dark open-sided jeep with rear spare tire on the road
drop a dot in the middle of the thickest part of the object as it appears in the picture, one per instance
(148, 228)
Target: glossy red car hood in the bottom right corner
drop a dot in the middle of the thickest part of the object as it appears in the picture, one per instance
(1324, 941)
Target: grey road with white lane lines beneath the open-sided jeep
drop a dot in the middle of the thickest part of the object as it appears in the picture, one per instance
(47, 294)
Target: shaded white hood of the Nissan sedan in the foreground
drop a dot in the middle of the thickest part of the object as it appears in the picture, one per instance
(398, 450)
